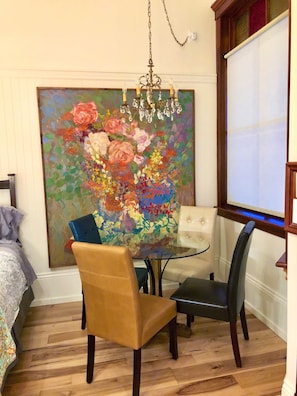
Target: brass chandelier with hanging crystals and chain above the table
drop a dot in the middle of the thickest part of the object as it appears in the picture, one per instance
(145, 102)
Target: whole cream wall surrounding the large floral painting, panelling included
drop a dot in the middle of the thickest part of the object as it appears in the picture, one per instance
(93, 43)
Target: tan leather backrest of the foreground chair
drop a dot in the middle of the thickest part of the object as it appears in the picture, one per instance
(110, 291)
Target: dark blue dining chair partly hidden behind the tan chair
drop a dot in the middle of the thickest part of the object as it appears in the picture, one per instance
(84, 229)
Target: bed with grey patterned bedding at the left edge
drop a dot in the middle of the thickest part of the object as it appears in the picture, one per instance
(16, 279)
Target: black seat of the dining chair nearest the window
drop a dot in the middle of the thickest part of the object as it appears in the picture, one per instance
(202, 297)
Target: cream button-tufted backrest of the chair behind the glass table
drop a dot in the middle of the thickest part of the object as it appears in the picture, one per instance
(201, 219)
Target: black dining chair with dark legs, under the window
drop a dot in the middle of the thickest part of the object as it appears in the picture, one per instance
(220, 300)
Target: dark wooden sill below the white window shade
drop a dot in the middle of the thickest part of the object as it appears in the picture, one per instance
(272, 225)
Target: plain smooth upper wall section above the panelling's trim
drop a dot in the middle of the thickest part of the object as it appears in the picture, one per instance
(106, 36)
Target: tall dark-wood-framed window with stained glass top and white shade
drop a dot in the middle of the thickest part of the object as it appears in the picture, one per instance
(252, 131)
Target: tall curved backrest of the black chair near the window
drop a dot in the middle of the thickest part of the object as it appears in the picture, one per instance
(236, 280)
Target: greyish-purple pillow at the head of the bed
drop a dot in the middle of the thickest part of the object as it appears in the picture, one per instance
(10, 219)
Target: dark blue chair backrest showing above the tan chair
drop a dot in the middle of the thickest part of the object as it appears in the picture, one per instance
(84, 229)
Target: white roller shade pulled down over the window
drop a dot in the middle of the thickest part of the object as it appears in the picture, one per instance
(257, 84)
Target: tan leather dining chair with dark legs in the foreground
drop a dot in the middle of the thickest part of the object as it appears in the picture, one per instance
(115, 309)
